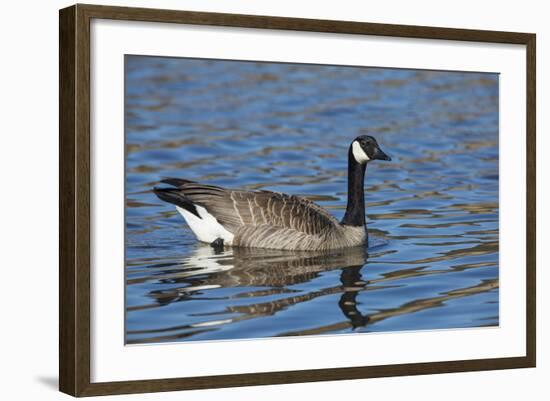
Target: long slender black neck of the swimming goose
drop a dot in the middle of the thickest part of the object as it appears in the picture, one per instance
(355, 211)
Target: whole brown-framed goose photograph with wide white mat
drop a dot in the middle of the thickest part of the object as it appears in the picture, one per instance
(277, 200)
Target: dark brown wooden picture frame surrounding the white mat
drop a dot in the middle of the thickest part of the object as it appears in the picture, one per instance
(74, 199)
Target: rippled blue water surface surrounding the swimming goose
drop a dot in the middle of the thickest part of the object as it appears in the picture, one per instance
(432, 212)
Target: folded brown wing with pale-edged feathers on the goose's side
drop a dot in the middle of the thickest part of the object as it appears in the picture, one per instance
(237, 208)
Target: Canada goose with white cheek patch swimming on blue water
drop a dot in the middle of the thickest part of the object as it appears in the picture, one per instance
(266, 219)
